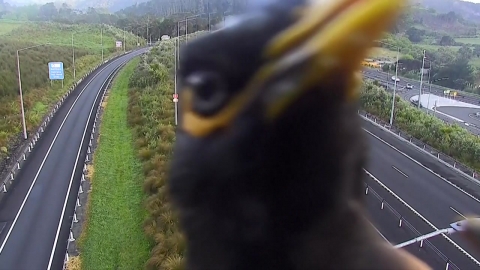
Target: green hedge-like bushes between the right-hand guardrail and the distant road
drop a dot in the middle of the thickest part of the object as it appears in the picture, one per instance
(451, 139)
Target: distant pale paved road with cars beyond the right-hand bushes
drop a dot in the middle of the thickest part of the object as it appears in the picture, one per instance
(473, 125)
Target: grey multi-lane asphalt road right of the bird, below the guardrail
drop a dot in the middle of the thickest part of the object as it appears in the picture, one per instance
(430, 195)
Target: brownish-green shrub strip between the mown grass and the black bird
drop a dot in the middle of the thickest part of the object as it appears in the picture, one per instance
(151, 114)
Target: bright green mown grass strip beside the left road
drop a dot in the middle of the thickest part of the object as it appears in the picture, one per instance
(114, 236)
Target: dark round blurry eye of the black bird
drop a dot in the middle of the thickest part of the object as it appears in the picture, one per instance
(209, 92)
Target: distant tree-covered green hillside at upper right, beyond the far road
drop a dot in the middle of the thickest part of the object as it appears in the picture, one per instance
(452, 45)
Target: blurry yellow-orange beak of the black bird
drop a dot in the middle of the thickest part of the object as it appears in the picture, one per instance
(330, 40)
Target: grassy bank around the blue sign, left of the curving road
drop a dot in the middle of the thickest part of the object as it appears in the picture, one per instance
(39, 94)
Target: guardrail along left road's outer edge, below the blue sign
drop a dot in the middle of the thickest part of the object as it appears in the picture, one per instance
(22, 155)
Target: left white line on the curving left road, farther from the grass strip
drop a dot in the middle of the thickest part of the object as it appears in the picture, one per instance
(45, 158)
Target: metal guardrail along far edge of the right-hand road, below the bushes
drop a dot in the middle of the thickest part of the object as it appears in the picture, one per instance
(450, 162)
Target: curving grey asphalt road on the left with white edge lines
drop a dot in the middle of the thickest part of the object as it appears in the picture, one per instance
(36, 214)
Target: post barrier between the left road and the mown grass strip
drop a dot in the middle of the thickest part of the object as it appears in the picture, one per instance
(88, 158)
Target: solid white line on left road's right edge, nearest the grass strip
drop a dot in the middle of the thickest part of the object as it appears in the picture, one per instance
(73, 172)
